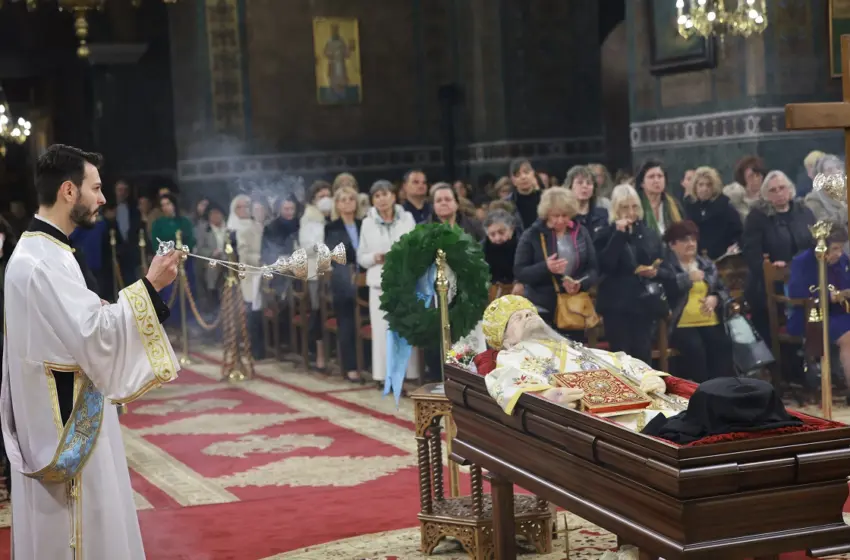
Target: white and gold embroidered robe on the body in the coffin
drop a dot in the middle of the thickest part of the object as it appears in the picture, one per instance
(528, 367)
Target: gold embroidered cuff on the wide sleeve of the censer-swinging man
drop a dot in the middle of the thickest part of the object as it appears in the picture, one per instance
(151, 332)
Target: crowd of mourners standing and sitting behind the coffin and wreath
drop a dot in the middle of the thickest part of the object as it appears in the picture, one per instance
(650, 255)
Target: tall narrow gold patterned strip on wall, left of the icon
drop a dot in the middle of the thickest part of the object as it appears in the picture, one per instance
(225, 59)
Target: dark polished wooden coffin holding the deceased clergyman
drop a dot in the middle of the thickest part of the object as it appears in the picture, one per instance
(731, 500)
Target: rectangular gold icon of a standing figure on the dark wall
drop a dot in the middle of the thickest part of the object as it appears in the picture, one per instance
(336, 47)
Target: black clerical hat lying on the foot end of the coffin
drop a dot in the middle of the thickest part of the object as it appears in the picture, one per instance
(724, 405)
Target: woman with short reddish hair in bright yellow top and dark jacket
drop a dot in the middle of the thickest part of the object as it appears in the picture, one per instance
(697, 301)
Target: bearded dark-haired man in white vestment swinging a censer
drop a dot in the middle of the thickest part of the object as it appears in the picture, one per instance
(68, 359)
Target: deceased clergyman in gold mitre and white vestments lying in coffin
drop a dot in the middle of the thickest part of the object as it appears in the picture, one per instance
(530, 352)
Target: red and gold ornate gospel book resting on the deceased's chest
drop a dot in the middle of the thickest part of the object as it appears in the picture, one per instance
(603, 391)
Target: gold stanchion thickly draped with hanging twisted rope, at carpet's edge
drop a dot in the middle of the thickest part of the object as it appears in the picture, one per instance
(238, 362)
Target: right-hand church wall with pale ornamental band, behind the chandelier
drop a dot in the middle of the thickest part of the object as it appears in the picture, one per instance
(718, 115)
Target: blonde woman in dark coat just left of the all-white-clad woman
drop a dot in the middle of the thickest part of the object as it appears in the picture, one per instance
(344, 228)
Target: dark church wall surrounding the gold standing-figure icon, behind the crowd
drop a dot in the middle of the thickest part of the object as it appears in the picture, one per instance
(524, 86)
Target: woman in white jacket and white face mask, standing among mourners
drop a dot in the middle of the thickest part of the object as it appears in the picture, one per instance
(312, 232)
